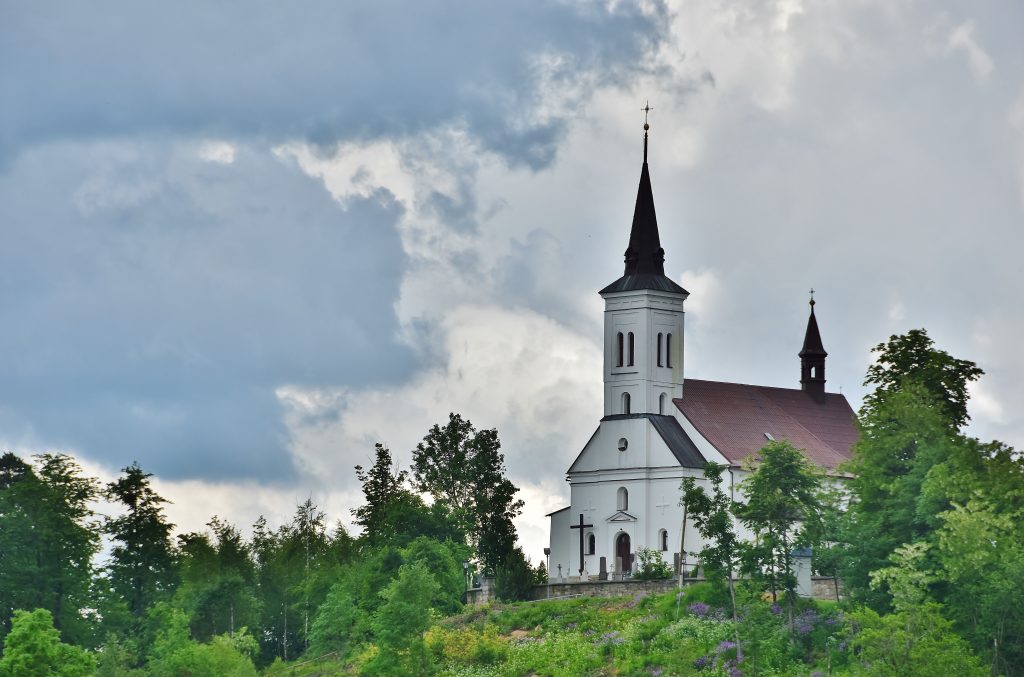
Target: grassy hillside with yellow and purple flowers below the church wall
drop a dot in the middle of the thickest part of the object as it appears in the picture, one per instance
(657, 636)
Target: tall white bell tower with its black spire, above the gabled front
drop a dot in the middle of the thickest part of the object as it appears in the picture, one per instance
(644, 320)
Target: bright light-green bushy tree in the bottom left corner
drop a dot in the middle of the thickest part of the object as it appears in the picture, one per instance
(34, 649)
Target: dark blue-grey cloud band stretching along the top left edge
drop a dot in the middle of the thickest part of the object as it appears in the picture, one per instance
(320, 71)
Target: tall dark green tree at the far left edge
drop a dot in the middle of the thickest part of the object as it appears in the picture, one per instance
(48, 539)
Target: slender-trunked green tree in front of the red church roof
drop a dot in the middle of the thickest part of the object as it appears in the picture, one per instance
(784, 511)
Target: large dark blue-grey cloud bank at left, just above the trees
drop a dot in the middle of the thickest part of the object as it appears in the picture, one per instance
(152, 304)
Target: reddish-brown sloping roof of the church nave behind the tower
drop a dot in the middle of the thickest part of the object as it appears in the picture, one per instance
(735, 418)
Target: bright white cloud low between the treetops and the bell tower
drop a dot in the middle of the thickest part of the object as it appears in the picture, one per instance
(537, 382)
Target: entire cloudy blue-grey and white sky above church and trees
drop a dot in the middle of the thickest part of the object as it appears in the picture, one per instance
(240, 243)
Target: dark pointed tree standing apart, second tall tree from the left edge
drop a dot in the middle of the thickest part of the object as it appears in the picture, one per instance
(143, 568)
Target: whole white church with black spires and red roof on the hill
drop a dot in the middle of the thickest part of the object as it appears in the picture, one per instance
(659, 428)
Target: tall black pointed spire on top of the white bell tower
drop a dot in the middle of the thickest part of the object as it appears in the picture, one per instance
(645, 258)
